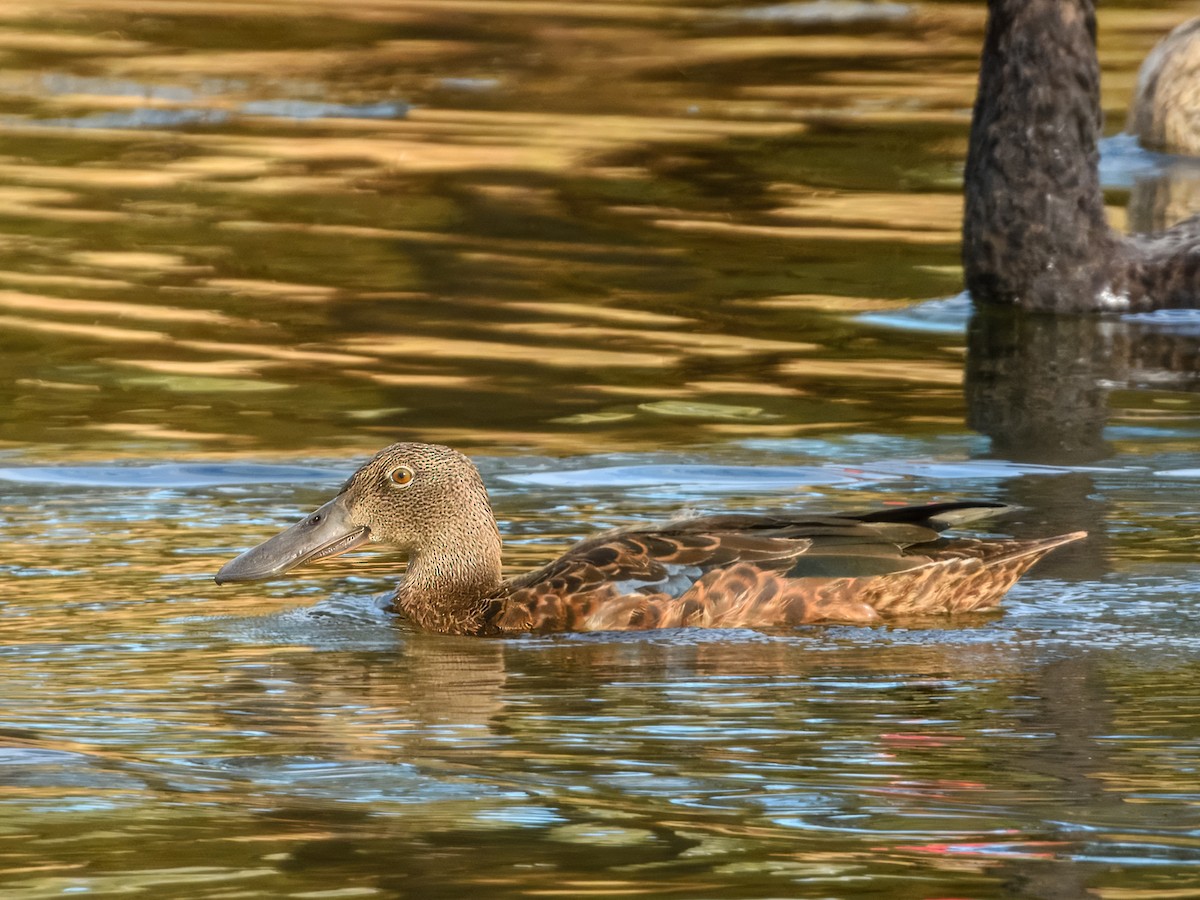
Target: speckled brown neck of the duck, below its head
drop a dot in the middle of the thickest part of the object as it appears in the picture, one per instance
(451, 579)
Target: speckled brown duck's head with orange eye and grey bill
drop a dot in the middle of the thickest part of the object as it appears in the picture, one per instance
(428, 501)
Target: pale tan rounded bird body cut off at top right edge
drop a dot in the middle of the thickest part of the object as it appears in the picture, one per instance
(1166, 110)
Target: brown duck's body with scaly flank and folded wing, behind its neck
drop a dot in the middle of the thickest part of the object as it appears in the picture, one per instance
(729, 571)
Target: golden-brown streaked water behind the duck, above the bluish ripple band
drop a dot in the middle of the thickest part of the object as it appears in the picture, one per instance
(489, 225)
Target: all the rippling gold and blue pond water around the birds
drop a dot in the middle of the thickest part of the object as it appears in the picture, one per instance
(633, 257)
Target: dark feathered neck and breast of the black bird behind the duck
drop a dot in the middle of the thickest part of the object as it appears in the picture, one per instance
(1034, 231)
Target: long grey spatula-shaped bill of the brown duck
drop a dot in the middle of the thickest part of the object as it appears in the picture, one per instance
(327, 533)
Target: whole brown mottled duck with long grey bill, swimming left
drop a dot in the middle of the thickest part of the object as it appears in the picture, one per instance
(728, 571)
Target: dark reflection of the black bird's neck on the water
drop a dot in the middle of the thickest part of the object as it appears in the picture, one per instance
(1042, 387)
